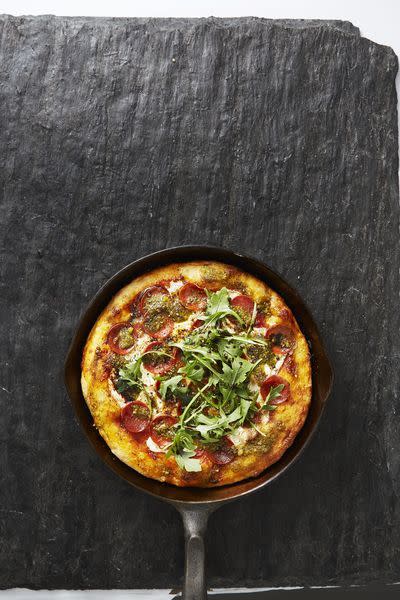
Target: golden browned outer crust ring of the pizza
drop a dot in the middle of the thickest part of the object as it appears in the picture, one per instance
(287, 420)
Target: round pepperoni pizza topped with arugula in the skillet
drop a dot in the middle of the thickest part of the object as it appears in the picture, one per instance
(197, 374)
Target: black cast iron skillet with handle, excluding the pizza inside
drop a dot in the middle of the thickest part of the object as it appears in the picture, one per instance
(195, 504)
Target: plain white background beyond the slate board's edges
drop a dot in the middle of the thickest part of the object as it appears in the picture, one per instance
(378, 20)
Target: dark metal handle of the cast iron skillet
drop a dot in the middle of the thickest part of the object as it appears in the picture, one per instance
(195, 525)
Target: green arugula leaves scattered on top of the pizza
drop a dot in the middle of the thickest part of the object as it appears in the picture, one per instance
(213, 382)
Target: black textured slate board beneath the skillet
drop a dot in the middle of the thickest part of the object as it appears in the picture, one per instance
(122, 136)
